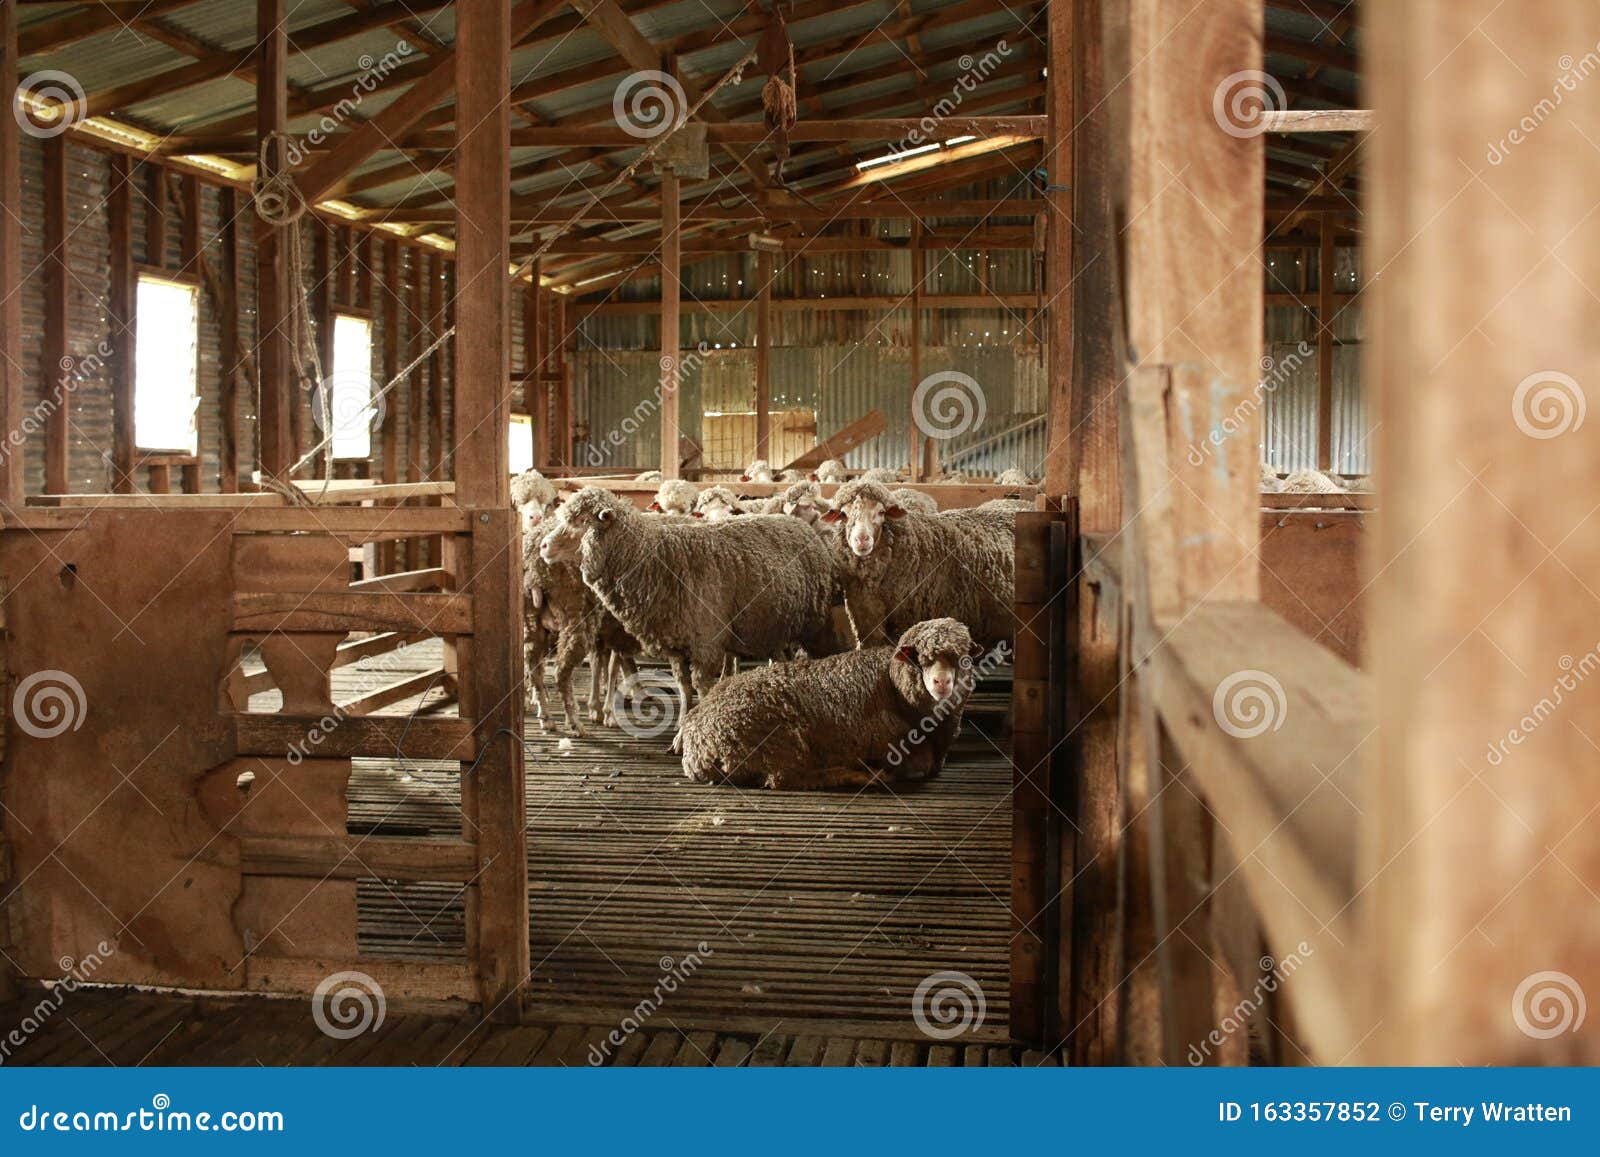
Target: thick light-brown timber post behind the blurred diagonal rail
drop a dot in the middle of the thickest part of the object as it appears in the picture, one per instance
(1194, 290)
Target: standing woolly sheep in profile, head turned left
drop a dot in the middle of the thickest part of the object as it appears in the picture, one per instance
(753, 588)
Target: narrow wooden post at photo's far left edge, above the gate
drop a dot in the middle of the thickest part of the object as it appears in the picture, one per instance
(12, 471)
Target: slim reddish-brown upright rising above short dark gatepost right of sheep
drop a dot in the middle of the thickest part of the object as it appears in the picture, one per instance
(1062, 462)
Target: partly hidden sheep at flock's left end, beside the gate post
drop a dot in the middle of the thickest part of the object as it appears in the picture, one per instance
(562, 615)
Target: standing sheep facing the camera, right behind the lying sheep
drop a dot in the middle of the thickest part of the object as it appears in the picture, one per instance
(898, 569)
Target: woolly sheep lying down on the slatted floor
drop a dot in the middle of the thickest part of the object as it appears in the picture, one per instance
(847, 721)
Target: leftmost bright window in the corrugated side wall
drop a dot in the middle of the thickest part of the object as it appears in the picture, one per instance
(166, 370)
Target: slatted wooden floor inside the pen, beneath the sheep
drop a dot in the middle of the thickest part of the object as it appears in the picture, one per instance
(815, 910)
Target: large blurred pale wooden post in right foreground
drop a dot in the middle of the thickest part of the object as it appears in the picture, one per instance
(1479, 839)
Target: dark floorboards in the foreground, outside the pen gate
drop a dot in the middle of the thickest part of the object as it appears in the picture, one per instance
(100, 1028)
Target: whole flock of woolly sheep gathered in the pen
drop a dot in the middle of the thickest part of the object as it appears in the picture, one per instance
(870, 612)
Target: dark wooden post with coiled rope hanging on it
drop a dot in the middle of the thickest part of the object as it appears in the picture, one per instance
(274, 353)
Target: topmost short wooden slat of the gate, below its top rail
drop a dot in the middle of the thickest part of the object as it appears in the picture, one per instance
(434, 614)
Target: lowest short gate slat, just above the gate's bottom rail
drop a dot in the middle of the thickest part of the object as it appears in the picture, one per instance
(359, 857)
